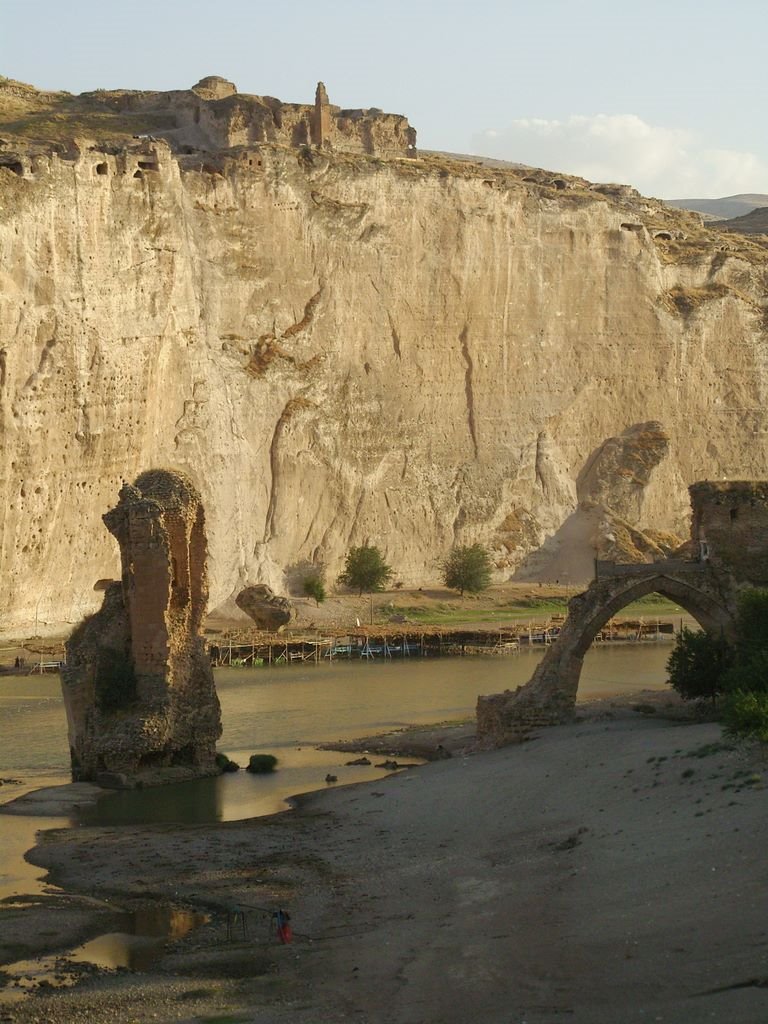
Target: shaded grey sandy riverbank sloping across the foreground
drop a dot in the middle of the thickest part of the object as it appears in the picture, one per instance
(612, 871)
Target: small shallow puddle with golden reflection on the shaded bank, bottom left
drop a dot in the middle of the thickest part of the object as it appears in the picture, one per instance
(138, 947)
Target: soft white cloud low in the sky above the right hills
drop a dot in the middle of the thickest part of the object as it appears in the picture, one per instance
(665, 162)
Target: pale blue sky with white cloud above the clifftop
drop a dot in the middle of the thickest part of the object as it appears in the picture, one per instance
(668, 96)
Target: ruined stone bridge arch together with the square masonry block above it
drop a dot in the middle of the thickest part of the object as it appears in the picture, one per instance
(730, 551)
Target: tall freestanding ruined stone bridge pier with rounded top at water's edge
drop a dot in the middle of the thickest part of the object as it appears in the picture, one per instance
(138, 687)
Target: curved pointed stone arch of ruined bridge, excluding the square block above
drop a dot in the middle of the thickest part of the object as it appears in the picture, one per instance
(709, 594)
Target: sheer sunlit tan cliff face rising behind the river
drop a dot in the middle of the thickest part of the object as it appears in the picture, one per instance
(339, 349)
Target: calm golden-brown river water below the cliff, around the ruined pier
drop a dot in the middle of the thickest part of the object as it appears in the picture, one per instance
(286, 712)
